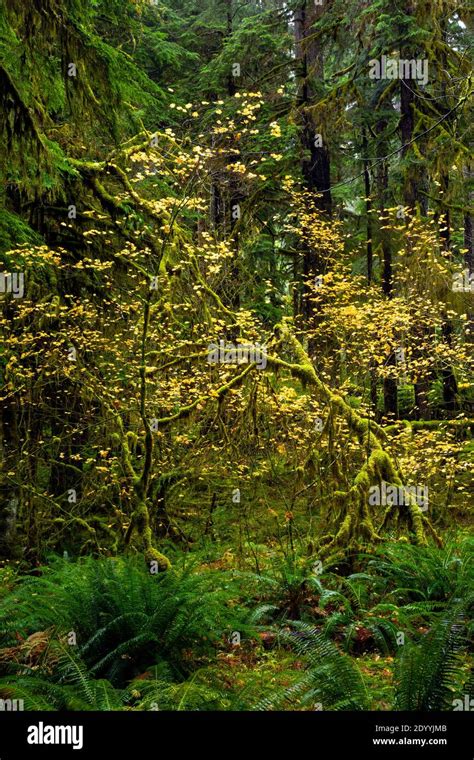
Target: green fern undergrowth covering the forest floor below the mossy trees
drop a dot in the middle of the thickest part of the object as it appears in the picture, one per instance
(109, 634)
